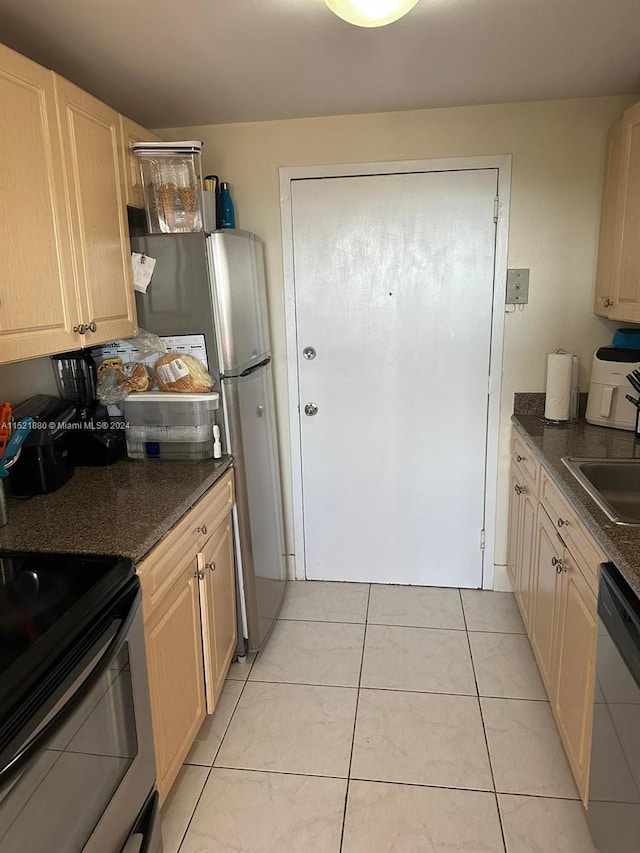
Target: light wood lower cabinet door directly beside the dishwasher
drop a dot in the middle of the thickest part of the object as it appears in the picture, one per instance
(575, 669)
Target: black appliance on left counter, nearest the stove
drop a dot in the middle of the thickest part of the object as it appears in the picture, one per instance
(44, 464)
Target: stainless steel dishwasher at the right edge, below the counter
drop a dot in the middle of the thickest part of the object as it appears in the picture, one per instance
(614, 782)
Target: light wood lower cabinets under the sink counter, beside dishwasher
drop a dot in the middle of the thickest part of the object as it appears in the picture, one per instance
(557, 597)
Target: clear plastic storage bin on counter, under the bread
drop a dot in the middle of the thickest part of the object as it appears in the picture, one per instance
(168, 425)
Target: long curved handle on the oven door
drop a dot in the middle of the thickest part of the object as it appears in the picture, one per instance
(26, 752)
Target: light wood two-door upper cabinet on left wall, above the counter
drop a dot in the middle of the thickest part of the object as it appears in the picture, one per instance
(65, 279)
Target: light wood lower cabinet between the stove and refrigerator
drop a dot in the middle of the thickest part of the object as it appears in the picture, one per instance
(189, 606)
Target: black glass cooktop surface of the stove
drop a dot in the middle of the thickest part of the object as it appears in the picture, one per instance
(46, 602)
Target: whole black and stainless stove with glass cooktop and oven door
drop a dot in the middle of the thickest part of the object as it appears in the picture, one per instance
(77, 766)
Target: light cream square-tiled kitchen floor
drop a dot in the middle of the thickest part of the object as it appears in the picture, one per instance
(381, 718)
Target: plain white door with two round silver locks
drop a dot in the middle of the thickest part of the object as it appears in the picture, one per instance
(394, 277)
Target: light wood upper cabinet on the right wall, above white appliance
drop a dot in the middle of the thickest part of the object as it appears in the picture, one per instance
(618, 271)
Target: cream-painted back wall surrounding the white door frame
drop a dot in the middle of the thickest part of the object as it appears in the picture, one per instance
(558, 158)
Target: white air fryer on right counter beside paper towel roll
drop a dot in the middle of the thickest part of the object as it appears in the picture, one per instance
(607, 404)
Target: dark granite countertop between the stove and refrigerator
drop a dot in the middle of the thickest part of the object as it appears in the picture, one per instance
(122, 509)
